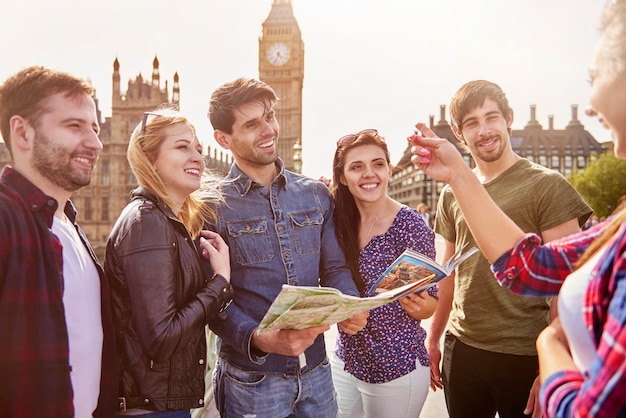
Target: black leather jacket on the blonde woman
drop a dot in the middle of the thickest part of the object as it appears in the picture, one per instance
(161, 301)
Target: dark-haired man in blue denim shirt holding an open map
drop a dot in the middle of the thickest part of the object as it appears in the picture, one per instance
(279, 227)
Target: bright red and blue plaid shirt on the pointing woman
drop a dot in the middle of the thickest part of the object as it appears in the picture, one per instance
(539, 270)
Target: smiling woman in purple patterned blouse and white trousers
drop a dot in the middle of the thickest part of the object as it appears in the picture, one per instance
(382, 370)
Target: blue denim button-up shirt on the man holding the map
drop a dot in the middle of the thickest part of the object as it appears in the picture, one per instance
(284, 235)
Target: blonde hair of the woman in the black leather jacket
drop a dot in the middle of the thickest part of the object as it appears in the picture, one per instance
(143, 150)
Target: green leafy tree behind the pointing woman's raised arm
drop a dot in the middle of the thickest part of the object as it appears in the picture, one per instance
(602, 183)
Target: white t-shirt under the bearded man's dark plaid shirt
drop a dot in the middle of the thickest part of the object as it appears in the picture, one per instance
(82, 303)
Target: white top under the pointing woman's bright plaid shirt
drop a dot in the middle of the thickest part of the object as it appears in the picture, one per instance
(570, 305)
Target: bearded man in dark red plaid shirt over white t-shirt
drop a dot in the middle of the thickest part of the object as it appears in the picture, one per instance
(57, 351)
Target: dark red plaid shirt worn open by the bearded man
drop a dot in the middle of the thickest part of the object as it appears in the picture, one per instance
(34, 351)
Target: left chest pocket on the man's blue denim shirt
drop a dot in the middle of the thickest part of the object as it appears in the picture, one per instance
(250, 241)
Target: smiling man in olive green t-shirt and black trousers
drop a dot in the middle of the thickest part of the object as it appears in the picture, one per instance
(490, 361)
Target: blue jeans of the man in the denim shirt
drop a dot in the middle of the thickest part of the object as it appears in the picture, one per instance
(308, 393)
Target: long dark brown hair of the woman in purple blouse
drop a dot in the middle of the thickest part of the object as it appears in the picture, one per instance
(347, 216)
